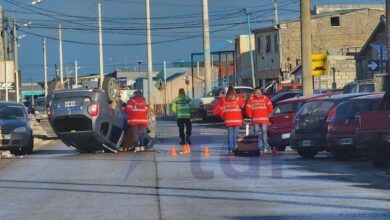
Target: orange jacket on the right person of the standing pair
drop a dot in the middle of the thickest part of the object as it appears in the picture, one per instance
(259, 109)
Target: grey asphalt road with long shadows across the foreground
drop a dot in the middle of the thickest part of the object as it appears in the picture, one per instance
(58, 183)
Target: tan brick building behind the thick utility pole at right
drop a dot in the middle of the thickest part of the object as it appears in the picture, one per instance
(340, 33)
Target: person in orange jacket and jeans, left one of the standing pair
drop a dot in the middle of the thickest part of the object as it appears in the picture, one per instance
(229, 108)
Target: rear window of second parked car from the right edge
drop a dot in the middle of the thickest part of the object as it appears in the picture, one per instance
(350, 108)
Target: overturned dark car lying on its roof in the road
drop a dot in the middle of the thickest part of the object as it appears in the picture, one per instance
(88, 120)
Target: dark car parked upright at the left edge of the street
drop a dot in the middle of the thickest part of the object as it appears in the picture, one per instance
(16, 133)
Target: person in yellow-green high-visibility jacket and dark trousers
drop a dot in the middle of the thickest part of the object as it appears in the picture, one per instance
(182, 106)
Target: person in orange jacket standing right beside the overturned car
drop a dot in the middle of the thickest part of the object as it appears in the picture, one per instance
(137, 121)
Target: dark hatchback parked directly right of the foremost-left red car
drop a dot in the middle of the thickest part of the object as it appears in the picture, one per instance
(310, 126)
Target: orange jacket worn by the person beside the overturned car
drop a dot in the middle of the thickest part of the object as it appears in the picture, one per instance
(137, 112)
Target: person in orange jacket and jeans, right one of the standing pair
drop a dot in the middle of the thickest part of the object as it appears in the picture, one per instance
(258, 108)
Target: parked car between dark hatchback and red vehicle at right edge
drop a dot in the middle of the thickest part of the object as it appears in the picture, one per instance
(341, 136)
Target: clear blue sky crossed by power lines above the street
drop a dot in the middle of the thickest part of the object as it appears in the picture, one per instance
(176, 30)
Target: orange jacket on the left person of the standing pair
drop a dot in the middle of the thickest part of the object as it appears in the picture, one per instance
(230, 110)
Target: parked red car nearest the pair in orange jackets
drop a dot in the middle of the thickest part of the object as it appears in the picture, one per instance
(282, 117)
